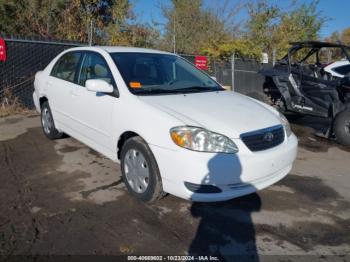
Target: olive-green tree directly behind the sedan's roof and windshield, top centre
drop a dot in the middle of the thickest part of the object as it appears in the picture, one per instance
(196, 28)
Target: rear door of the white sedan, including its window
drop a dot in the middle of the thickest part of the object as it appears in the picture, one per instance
(60, 87)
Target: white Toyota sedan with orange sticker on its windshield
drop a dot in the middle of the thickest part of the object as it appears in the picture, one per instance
(172, 127)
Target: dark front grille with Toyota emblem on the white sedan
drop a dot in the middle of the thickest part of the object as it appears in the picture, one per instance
(264, 138)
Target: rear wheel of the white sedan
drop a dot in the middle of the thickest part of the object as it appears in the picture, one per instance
(48, 124)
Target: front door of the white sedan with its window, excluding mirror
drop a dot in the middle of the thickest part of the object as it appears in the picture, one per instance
(93, 111)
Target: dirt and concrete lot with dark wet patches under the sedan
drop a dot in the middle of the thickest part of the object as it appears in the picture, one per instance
(60, 197)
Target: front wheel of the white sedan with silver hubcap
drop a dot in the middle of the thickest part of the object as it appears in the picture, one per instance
(140, 171)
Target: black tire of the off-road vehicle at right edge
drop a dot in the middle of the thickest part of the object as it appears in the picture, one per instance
(342, 128)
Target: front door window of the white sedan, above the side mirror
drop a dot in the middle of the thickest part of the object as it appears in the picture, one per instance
(94, 67)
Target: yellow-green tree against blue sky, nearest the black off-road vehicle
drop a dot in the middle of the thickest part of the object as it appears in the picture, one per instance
(270, 27)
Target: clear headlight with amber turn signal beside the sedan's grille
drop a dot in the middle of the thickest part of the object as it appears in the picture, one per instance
(200, 139)
